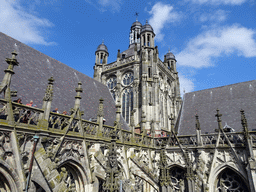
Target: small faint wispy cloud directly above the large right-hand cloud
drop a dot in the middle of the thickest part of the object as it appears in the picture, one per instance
(218, 16)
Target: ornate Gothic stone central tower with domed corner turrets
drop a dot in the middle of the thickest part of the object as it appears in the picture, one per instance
(147, 88)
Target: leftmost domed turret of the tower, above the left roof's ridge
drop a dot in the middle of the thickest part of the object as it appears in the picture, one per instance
(101, 59)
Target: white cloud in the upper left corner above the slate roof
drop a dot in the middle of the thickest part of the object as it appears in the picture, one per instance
(15, 22)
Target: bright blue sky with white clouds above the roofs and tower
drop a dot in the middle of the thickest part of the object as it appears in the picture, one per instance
(214, 41)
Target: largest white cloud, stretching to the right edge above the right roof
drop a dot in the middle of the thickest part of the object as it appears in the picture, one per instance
(201, 50)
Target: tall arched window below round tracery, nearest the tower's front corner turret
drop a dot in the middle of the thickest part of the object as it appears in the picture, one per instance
(127, 104)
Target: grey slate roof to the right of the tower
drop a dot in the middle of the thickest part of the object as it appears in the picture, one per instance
(228, 99)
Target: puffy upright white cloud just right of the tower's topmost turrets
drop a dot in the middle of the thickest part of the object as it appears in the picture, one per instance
(162, 14)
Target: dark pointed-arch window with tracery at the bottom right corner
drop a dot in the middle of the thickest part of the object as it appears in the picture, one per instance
(229, 180)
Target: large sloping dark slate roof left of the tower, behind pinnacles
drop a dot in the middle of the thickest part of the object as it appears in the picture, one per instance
(34, 70)
